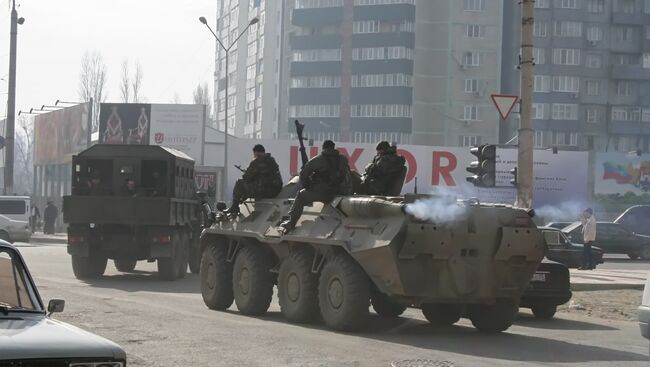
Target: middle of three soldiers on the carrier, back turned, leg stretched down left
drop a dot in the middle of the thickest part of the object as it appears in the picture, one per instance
(322, 178)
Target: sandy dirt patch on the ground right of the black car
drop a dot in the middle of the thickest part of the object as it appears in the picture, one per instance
(611, 305)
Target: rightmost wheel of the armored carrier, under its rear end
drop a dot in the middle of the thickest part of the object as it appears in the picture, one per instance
(494, 318)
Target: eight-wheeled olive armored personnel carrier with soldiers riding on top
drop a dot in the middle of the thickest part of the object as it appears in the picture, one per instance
(449, 258)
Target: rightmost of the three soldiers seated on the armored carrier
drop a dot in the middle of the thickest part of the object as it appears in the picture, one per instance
(384, 171)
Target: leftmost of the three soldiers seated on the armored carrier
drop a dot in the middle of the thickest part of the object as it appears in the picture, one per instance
(261, 180)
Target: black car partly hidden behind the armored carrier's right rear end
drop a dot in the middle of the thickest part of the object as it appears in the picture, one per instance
(549, 288)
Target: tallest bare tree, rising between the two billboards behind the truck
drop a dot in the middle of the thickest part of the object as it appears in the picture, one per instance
(92, 83)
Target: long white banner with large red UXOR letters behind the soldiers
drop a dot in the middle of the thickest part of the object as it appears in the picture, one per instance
(558, 177)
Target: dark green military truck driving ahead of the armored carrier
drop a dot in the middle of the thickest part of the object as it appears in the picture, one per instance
(131, 203)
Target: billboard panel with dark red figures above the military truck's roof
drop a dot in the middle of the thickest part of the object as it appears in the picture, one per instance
(124, 123)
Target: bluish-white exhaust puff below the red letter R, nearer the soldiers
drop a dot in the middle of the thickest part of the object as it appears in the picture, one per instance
(441, 207)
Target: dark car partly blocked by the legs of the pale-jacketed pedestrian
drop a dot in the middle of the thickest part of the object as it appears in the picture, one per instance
(562, 250)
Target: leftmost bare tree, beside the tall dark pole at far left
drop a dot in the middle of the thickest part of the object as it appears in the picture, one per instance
(24, 173)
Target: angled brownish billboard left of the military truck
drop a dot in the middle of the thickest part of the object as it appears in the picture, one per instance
(60, 134)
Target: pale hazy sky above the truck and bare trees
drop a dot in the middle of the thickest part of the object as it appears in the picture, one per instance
(176, 51)
